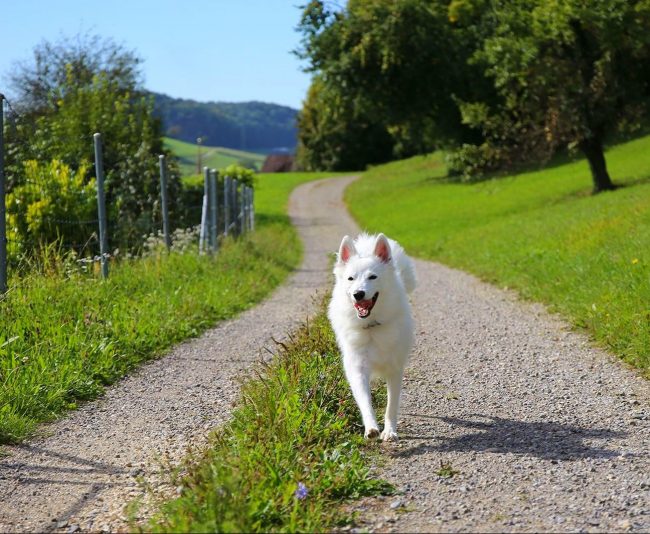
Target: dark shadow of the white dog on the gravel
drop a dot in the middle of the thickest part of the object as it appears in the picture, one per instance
(547, 440)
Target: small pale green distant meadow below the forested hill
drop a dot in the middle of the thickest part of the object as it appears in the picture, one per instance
(213, 157)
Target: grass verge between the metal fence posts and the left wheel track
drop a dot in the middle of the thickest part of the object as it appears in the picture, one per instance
(64, 335)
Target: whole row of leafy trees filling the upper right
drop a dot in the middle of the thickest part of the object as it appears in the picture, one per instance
(519, 80)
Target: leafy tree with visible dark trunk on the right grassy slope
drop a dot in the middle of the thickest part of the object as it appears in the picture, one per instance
(567, 72)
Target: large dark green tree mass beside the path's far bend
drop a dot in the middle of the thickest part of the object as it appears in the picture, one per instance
(386, 68)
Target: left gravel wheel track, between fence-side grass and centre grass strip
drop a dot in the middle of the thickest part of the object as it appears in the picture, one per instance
(88, 467)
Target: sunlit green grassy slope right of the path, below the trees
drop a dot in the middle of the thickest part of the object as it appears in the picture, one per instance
(539, 232)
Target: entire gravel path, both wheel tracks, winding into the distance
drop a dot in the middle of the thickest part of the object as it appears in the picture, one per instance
(545, 432)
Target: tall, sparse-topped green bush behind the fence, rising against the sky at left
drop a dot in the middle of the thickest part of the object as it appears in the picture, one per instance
(90, 91)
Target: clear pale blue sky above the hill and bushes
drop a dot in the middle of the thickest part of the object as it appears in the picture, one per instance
(220, 50)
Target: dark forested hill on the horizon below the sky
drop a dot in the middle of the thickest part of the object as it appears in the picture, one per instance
(250, 126)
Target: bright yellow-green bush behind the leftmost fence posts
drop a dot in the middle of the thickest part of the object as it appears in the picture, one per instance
(40, 210)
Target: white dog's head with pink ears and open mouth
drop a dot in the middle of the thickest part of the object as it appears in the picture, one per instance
(360, 275)
